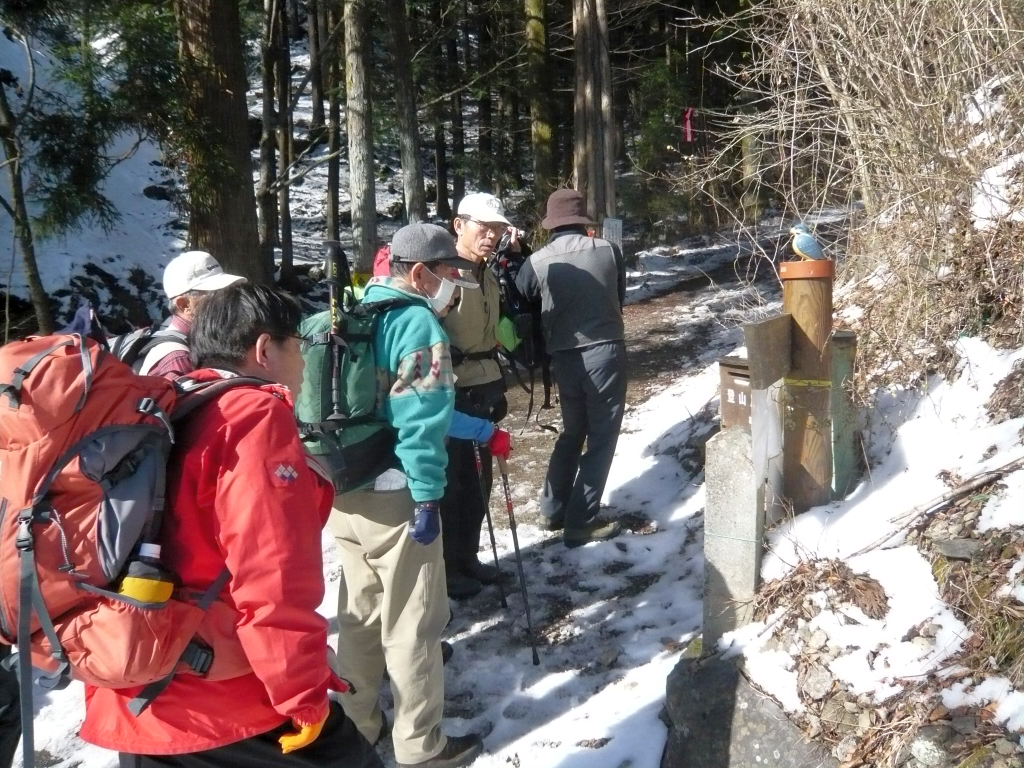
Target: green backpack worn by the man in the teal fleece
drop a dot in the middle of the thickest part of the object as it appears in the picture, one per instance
(336, 408)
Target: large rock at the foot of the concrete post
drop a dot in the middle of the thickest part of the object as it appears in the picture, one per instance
(716, 716)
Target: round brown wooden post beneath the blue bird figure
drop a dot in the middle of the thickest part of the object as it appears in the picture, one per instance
(807, 464)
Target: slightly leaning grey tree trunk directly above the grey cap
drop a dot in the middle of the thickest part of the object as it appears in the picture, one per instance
(409, 127)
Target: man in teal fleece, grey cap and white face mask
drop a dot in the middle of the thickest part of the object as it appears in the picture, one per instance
(393, 605)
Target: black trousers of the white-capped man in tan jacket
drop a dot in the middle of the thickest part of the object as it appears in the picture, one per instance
(463, 506)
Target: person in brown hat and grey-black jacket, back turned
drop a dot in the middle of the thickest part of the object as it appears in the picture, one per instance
(580, 282)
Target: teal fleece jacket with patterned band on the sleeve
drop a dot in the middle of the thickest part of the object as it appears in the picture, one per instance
(415, 386)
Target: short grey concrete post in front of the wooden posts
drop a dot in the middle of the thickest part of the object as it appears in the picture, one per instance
(734, 530)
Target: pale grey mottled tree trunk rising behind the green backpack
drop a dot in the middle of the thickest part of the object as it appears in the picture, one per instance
(359, 112)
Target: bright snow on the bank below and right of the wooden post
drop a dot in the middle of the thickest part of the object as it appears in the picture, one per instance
(916, 440)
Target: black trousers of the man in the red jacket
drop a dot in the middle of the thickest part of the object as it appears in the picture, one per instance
(339, 746)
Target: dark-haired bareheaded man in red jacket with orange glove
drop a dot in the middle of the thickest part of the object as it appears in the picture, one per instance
(243, 496)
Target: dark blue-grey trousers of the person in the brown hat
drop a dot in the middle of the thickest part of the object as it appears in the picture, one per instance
(592, 393)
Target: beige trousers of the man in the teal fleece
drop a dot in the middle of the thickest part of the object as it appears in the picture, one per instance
(393, 608)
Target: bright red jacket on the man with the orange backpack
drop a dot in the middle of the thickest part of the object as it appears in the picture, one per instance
(241, 496)
